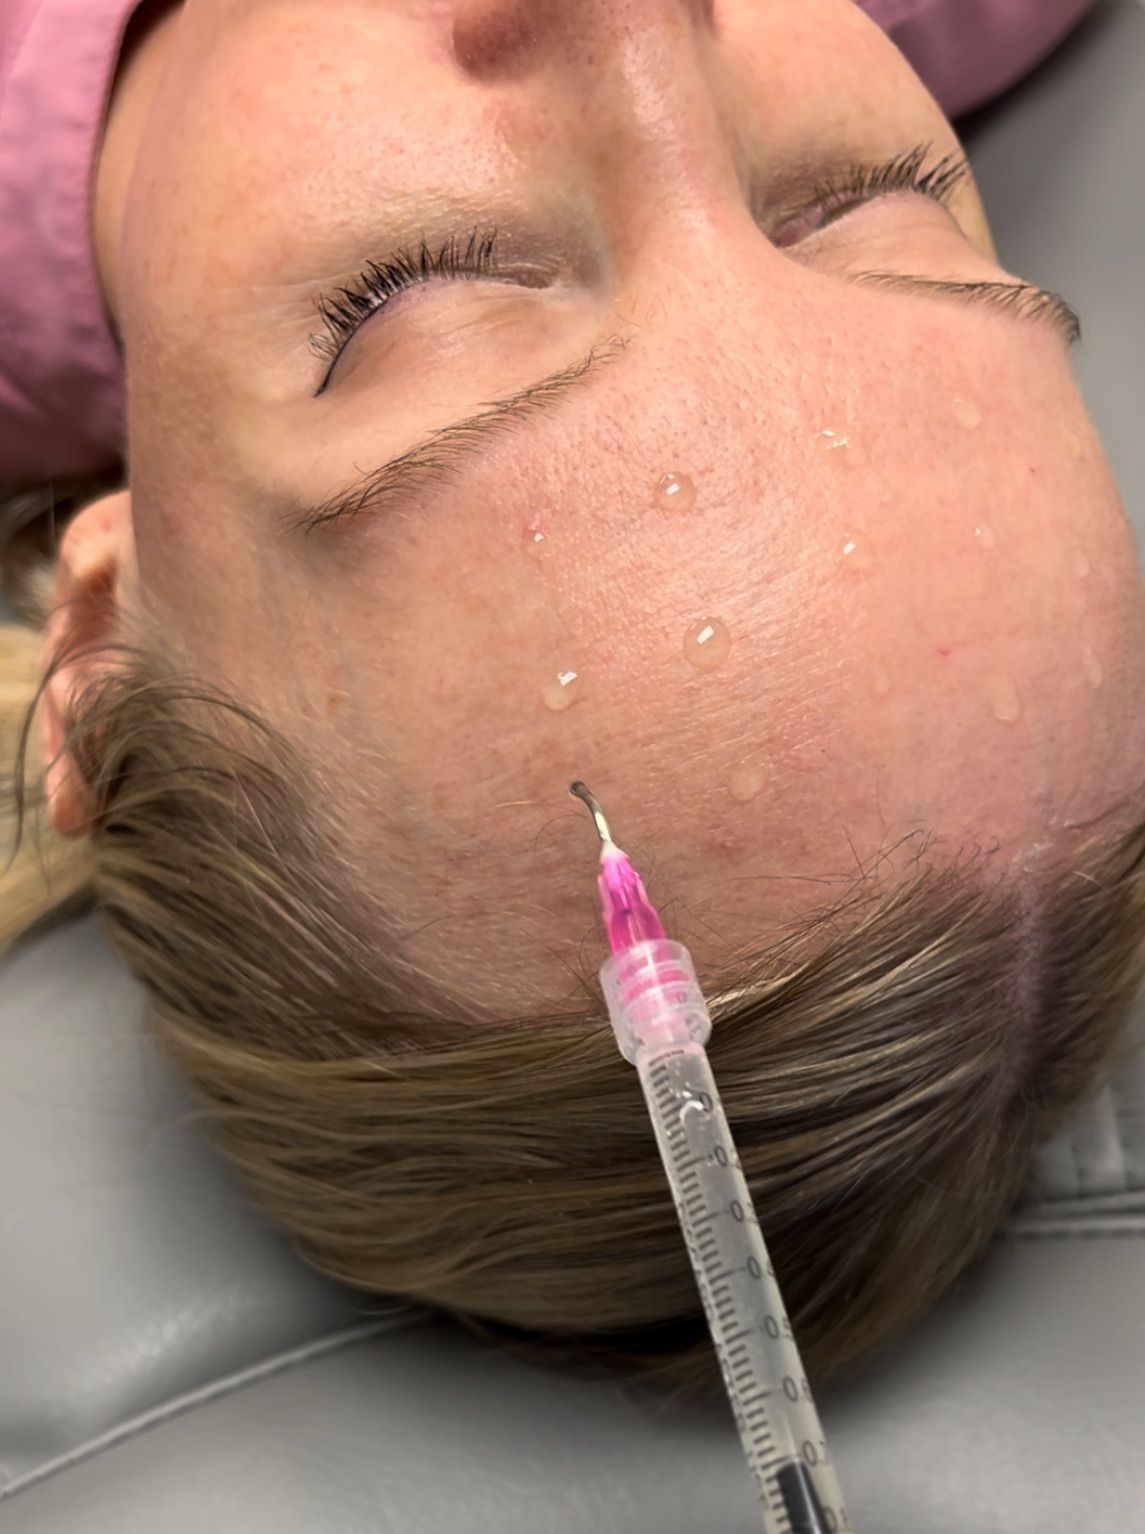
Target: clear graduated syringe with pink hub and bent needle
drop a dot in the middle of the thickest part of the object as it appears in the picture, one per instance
(662, 1025)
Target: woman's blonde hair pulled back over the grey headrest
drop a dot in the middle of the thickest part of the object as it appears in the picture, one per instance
(888, 1068)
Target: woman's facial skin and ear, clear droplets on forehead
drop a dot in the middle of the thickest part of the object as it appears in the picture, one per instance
(902, 513)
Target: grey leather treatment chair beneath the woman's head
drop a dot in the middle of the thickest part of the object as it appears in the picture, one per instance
(168, 1366)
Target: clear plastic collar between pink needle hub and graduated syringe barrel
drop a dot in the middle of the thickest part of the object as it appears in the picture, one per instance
(655, 998)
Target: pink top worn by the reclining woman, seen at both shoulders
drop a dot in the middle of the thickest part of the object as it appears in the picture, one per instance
(62, 375)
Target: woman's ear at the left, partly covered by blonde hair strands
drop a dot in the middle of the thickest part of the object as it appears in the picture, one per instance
(97, 548)
